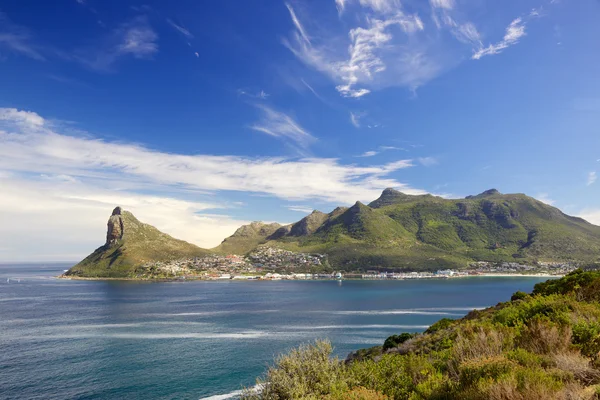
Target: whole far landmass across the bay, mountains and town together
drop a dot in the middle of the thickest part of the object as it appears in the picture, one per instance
(394, 235)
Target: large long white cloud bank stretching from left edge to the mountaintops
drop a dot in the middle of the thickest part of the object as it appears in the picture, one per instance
(58, 190)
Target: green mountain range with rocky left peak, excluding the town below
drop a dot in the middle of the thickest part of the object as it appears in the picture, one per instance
(396, 231)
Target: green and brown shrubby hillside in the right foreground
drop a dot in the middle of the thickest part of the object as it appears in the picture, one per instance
(540, 346)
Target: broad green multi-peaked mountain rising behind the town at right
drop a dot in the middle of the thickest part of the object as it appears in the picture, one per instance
(405, 231)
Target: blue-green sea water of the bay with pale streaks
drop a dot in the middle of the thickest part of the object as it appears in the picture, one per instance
(64, 339)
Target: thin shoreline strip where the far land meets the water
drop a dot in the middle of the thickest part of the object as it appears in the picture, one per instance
(194, 279)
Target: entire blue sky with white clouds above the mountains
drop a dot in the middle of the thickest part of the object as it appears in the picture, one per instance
(202, 116)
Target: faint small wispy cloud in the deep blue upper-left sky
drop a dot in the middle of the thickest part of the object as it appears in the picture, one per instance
(135, 39)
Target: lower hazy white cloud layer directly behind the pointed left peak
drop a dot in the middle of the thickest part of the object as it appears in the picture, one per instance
(67, 219)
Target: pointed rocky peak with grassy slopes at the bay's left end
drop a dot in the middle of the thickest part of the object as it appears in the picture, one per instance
(130, 243)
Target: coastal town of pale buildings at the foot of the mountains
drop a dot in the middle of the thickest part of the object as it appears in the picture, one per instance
(268, 263)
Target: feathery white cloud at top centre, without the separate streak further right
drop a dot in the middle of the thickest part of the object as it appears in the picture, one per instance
(371, 58)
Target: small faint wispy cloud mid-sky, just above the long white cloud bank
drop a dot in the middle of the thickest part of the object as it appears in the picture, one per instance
(281, 125)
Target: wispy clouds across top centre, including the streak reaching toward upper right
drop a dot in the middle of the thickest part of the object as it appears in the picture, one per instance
(388, 46)
